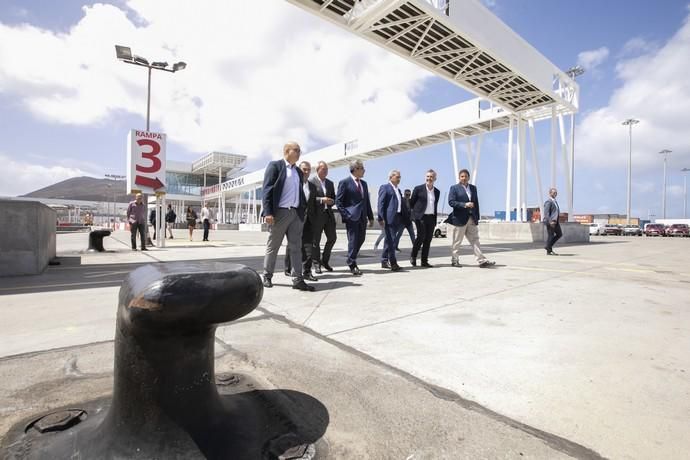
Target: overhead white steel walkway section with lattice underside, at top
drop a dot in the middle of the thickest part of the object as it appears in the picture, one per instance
(471, 48)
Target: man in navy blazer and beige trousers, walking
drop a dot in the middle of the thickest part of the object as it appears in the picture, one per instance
(464, 219)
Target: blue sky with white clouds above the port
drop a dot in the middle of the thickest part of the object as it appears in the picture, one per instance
(256, 79)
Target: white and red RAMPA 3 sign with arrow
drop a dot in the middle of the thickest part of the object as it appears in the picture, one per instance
(145, 162)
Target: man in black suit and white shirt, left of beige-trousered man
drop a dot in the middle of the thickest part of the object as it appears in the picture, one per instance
(424, 204)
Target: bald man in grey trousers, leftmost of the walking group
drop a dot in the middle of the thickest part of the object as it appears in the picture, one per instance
(284, 206)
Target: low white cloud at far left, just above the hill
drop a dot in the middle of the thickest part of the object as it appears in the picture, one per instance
(20, 177)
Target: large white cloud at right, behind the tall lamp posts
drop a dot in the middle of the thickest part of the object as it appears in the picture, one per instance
(654, 89)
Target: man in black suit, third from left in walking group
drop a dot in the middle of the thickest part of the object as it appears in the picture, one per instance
(324, 220)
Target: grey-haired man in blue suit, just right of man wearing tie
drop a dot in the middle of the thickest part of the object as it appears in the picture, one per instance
(392, 214)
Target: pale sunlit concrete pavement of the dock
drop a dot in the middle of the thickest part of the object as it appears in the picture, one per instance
(579, 355)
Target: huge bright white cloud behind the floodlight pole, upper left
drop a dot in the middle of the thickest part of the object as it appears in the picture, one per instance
(255, 76)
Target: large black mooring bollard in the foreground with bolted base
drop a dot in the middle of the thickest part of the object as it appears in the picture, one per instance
(165, 402)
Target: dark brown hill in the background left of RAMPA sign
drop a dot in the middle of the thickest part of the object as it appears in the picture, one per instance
(85, 188)
